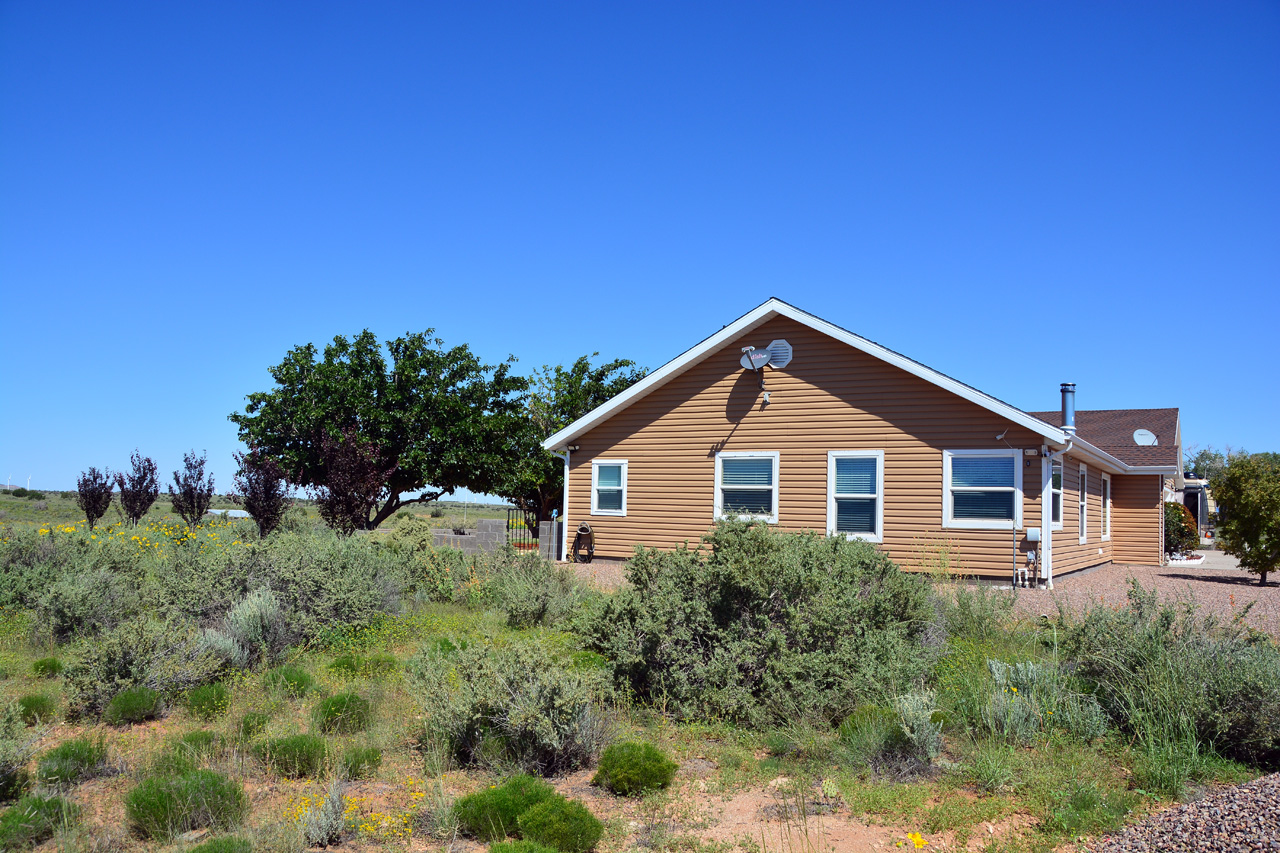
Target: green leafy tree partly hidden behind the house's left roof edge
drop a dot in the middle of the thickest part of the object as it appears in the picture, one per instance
(534, 480)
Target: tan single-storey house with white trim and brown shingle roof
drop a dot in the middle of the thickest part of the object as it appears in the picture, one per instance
(836, 434)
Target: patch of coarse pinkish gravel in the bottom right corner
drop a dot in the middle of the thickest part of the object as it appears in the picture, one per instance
(1245, 819)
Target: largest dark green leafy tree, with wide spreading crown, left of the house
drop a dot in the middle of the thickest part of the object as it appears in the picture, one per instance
(440, 417)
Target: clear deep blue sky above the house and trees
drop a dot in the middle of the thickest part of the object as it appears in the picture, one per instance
(1014, 194)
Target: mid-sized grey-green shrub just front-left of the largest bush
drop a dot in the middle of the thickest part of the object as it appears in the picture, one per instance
(514, 704)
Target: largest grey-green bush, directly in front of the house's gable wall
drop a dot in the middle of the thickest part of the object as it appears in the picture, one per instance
(765, 626)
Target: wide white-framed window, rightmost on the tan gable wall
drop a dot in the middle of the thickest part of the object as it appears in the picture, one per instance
(982, 490)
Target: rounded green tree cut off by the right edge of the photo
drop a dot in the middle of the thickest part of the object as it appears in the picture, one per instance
(1249, 505)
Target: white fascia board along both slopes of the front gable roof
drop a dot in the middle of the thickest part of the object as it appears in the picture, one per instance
(767, 312)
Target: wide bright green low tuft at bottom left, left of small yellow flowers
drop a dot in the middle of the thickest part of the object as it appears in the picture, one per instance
(164, 808)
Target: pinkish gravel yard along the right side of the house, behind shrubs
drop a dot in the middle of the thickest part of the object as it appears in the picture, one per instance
(1218, 586)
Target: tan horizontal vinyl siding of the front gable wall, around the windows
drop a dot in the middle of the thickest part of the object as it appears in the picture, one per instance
(831, 398)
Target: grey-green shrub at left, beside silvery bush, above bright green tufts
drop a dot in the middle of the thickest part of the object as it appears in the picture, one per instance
(164, 656)
